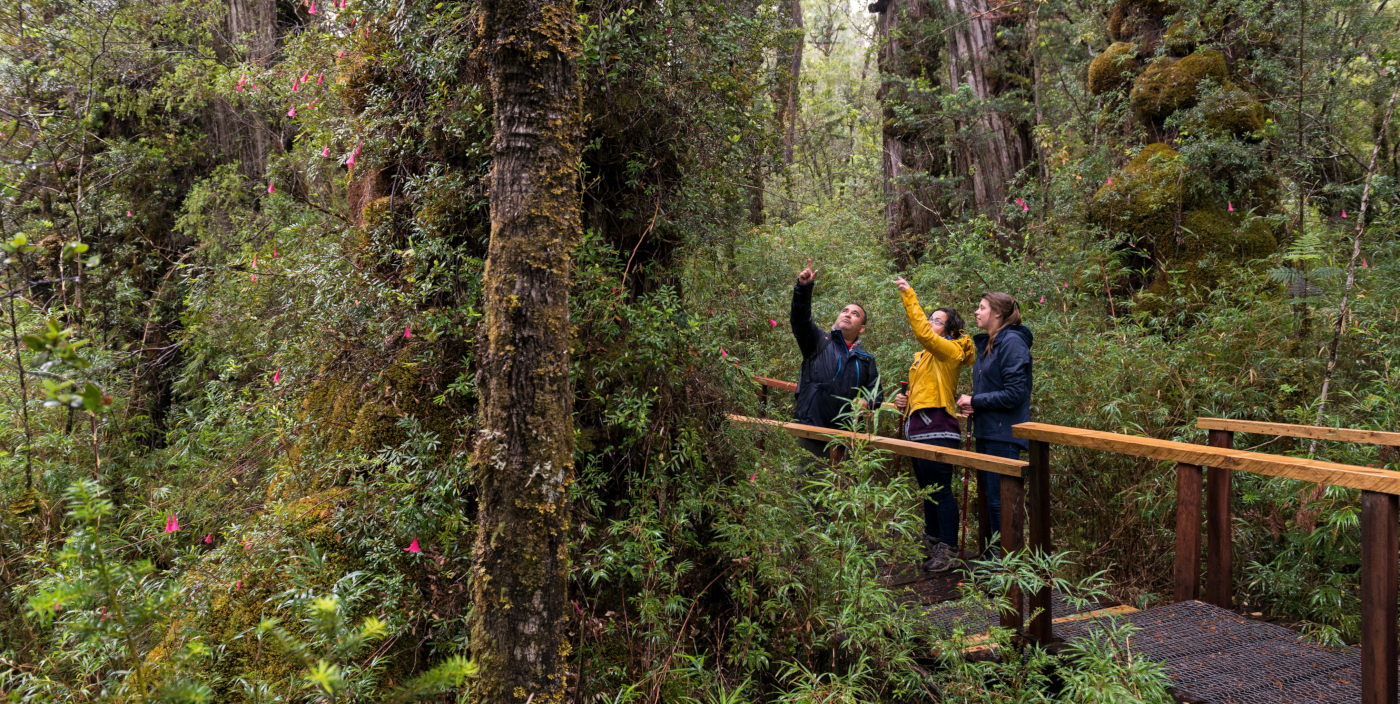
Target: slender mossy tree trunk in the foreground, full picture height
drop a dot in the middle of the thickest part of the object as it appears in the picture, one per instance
(524, 456)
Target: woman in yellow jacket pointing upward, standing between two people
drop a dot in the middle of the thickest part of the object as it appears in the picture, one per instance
(930, 409)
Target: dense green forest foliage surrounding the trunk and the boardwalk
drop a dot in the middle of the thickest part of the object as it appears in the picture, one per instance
(253, 311)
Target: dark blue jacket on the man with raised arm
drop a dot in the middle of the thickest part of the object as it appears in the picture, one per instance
(831, 372)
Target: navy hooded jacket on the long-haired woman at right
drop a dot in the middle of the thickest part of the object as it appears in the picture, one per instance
(1002, 384)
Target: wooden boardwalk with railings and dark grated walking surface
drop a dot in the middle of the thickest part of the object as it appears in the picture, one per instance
(1212, 653)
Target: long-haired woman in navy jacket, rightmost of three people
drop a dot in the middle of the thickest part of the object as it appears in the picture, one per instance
(1000, 387)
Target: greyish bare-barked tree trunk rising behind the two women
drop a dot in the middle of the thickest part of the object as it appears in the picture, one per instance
(997, 145)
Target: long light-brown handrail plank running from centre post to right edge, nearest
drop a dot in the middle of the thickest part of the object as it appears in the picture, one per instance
(1301, 470)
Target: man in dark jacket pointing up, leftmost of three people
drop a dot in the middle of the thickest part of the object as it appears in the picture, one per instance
(835, 366)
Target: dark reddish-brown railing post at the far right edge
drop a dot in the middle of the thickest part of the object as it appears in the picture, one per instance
(1380, 548)
